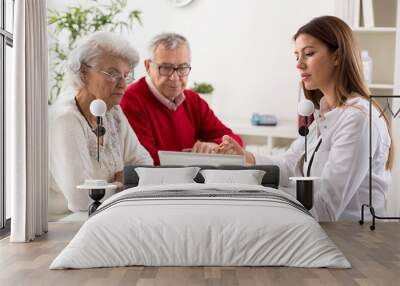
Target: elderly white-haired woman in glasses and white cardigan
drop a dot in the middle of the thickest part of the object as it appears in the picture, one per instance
(99, 68)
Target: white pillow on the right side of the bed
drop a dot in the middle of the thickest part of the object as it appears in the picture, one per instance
(248, 177)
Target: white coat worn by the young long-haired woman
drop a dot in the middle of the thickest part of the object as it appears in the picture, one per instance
(341, 162)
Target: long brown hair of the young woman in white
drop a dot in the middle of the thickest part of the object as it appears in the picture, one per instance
(339, 39)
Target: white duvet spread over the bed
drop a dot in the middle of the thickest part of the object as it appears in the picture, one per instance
(200, 231)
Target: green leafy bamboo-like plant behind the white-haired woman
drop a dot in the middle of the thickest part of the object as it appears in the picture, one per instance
(71, 24)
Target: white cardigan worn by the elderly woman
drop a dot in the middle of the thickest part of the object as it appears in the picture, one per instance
(73, 151)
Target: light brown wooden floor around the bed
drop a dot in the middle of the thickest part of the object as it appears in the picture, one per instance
(374, 255)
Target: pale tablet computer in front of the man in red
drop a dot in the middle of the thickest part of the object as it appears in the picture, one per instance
(189, 159)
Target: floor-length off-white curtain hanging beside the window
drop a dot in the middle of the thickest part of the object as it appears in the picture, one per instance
(26, 118)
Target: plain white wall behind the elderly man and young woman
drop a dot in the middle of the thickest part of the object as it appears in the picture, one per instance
(244, 48)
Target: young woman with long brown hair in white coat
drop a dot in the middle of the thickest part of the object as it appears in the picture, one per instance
(329, 64)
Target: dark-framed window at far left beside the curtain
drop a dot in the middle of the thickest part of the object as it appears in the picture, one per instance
(6, 44)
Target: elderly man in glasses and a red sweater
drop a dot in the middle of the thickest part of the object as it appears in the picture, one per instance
(165, 115)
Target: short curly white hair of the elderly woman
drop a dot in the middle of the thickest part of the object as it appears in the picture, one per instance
(90, 48)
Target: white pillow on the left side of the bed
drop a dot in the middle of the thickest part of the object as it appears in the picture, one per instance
(165, 176)
